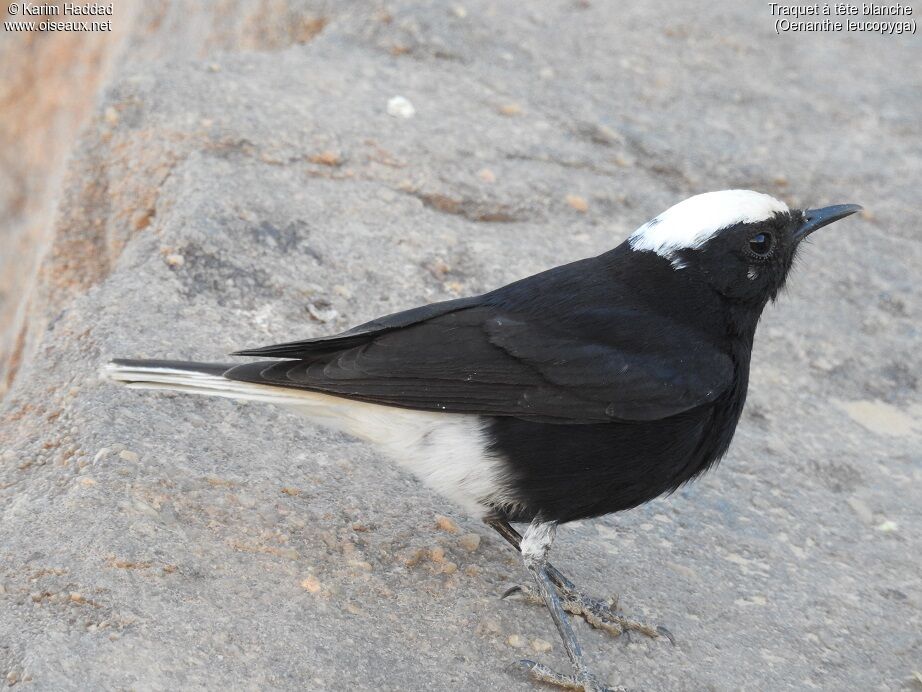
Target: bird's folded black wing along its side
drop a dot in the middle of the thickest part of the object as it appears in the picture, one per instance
(480, 358)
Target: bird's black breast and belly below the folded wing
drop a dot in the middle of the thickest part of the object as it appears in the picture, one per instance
(569, 472)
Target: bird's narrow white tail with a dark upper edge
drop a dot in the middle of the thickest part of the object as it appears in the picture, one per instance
(196, 378)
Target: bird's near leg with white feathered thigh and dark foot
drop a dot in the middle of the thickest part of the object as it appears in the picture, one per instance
(534, 547)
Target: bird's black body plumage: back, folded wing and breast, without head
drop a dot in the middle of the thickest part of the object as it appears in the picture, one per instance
(604, 382)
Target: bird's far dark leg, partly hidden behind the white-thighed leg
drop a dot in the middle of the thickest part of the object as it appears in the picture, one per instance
(598, 613)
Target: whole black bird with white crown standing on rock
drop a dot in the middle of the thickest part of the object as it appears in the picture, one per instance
(584, 390)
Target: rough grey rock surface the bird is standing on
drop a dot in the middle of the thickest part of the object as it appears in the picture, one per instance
(247, 178)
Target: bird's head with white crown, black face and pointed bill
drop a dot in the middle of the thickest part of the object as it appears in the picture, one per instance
(741, 242)
